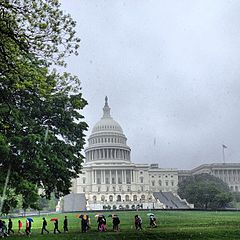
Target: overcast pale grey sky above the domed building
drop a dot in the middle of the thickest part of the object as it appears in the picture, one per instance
(171, 72)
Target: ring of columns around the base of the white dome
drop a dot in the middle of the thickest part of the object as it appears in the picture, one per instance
(108, 153)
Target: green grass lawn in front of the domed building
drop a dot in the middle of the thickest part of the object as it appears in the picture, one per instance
(171, 225)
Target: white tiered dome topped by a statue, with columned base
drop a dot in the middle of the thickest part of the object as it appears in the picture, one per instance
(107, 140)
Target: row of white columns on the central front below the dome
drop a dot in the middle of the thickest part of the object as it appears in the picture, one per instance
(113, 176)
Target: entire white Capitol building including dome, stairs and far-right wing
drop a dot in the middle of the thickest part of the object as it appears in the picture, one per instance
(110, 180)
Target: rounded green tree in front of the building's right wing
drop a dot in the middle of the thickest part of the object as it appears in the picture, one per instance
(205, 191)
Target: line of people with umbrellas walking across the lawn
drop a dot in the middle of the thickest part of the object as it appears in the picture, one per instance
(7, 229)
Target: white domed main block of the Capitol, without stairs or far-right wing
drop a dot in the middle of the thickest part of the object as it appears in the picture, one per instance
(110, 179)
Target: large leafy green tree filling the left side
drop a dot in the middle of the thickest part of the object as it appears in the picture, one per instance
(41, 126)
